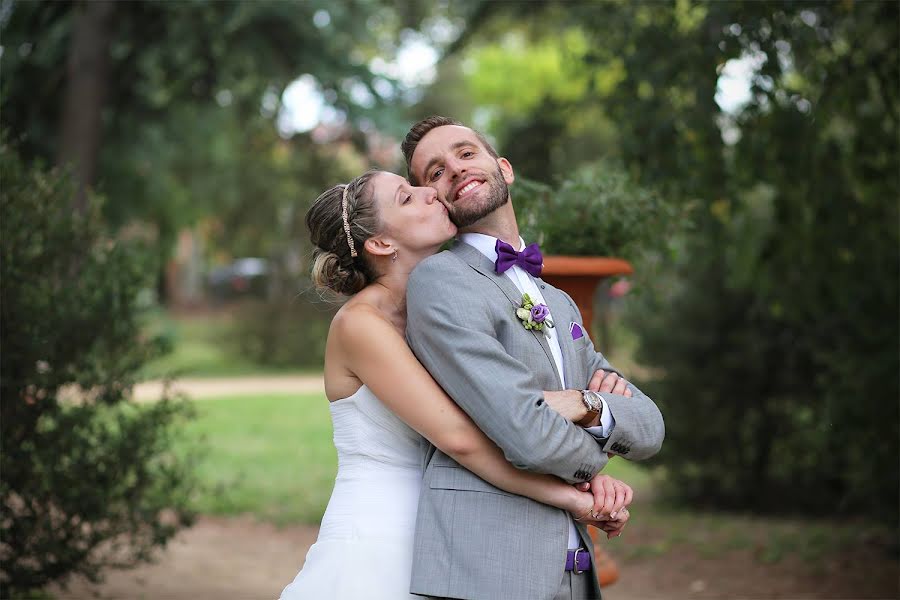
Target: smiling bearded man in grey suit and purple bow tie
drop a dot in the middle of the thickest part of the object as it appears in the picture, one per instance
(473, 540)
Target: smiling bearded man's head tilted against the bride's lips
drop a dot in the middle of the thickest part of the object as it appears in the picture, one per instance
(469, 181)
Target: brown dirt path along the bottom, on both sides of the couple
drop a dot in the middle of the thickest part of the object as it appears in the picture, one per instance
(241, 559)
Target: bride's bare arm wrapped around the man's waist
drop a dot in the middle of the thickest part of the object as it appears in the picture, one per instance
(382, 360)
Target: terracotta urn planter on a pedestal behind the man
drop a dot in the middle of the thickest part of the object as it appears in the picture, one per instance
(579, 276)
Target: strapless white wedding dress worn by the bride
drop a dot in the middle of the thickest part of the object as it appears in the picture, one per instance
(365, 543)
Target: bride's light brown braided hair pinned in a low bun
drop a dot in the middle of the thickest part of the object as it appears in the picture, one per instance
(334, 266)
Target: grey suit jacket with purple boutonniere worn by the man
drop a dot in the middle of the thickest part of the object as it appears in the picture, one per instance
(472, 539)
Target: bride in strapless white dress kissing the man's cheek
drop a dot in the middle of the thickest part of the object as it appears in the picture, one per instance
(386, 408)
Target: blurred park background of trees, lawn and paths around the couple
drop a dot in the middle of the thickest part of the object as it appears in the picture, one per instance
(158, 159)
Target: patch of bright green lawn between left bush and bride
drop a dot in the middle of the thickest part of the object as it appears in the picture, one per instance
(271, 456)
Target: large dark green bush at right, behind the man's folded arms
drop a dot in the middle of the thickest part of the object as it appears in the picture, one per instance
(777, 337)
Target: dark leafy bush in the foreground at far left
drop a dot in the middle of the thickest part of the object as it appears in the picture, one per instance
(87, 482)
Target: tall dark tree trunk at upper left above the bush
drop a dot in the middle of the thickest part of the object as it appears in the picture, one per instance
(87, 75)
